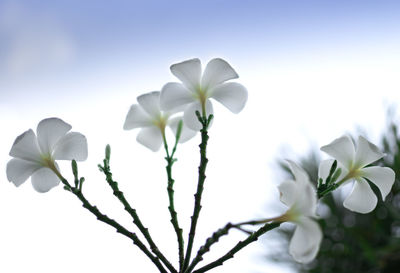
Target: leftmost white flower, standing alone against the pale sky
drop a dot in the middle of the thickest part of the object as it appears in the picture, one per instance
(35, 155)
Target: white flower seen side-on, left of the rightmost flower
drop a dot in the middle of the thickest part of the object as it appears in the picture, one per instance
(300, 196)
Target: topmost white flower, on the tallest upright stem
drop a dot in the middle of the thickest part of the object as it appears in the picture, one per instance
(197, 87)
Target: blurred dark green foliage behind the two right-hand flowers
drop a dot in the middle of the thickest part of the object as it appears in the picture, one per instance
(354, 242)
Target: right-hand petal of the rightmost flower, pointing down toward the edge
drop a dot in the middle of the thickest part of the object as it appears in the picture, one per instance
(382, 177)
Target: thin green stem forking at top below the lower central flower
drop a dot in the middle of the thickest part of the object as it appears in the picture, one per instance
(170, 188)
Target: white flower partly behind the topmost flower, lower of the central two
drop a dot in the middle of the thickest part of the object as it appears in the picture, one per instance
(148, 116)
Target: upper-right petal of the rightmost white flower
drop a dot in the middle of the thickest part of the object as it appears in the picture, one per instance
(366, 153)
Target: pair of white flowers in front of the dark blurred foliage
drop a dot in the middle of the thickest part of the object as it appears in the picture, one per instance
(353, 165)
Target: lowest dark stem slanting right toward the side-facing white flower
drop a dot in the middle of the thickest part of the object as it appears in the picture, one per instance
(251, 238)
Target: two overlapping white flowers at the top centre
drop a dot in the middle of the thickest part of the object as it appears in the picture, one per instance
(154, 109)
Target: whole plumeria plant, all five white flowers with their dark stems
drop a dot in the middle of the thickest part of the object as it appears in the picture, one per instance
(186, 108)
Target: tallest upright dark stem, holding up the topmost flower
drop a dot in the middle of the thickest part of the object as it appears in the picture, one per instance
(200, 185)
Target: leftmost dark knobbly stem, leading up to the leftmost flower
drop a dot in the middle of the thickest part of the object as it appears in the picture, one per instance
(104, 218)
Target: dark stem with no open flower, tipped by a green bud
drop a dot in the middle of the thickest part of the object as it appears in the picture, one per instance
(136, 220)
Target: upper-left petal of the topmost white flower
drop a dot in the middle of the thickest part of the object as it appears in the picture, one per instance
(189, 72)
